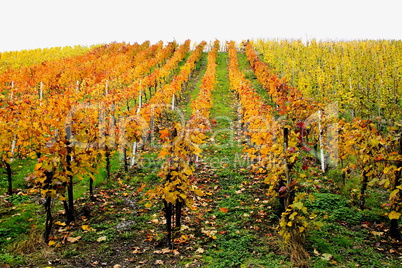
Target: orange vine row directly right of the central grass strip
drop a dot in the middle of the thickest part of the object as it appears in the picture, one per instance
(274, 147)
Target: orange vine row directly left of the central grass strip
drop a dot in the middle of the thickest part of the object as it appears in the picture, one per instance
(181, 149)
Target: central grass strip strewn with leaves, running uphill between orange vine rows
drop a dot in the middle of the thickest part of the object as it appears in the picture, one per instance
(237, 243)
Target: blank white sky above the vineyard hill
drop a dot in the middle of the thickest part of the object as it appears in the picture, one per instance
(27, 24)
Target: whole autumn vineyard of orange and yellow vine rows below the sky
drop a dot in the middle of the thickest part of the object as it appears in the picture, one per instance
(222, 154)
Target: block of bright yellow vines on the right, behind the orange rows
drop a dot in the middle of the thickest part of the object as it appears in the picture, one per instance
(362, 76)
